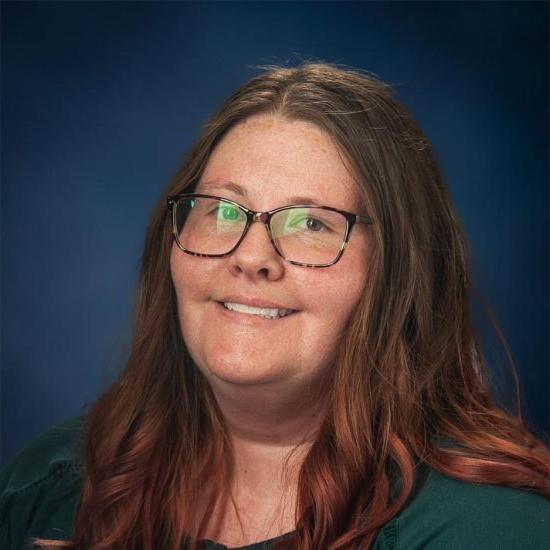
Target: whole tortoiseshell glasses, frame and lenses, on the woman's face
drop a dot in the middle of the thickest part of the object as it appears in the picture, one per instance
(306, 235)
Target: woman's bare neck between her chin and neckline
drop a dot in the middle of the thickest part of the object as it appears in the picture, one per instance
(271, 430)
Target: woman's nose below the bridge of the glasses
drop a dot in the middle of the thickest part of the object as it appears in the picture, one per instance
(255, 256)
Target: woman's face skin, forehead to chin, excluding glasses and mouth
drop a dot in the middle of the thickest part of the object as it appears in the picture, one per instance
(263, 163)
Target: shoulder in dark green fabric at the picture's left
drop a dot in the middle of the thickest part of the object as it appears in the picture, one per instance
(40, 486)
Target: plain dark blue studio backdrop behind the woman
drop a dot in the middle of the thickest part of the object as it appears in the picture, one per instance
(101, 100)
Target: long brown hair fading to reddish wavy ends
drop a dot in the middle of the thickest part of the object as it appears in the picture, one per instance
(408, 377)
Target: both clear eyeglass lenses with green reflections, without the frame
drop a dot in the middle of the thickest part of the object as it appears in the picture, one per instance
(309, 235)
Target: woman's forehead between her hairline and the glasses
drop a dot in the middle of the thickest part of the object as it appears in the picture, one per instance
(268, 161)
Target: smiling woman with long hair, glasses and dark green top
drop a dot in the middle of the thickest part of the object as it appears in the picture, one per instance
(302, 377)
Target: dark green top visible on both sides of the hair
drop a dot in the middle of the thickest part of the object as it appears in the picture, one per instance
(40, 487)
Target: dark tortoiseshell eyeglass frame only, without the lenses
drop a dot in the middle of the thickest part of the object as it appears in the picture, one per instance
(265, 218)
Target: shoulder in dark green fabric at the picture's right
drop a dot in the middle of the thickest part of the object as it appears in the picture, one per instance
(451, 514)
